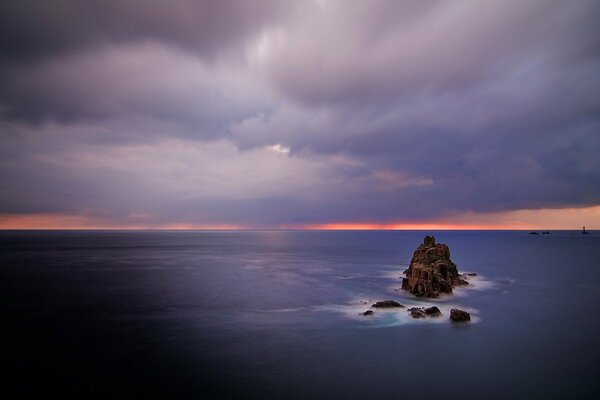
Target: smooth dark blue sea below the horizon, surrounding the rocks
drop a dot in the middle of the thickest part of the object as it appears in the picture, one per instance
(274, 315)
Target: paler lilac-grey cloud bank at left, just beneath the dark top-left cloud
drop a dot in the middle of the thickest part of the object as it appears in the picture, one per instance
(148, 80)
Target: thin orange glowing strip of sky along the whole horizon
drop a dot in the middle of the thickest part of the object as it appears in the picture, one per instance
(554, 219)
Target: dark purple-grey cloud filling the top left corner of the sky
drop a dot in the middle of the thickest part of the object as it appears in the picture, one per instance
(31, 29)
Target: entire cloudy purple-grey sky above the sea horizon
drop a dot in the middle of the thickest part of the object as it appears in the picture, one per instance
(322, 114)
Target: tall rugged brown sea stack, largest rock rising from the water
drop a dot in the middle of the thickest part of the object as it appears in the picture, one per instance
(431, 271)
